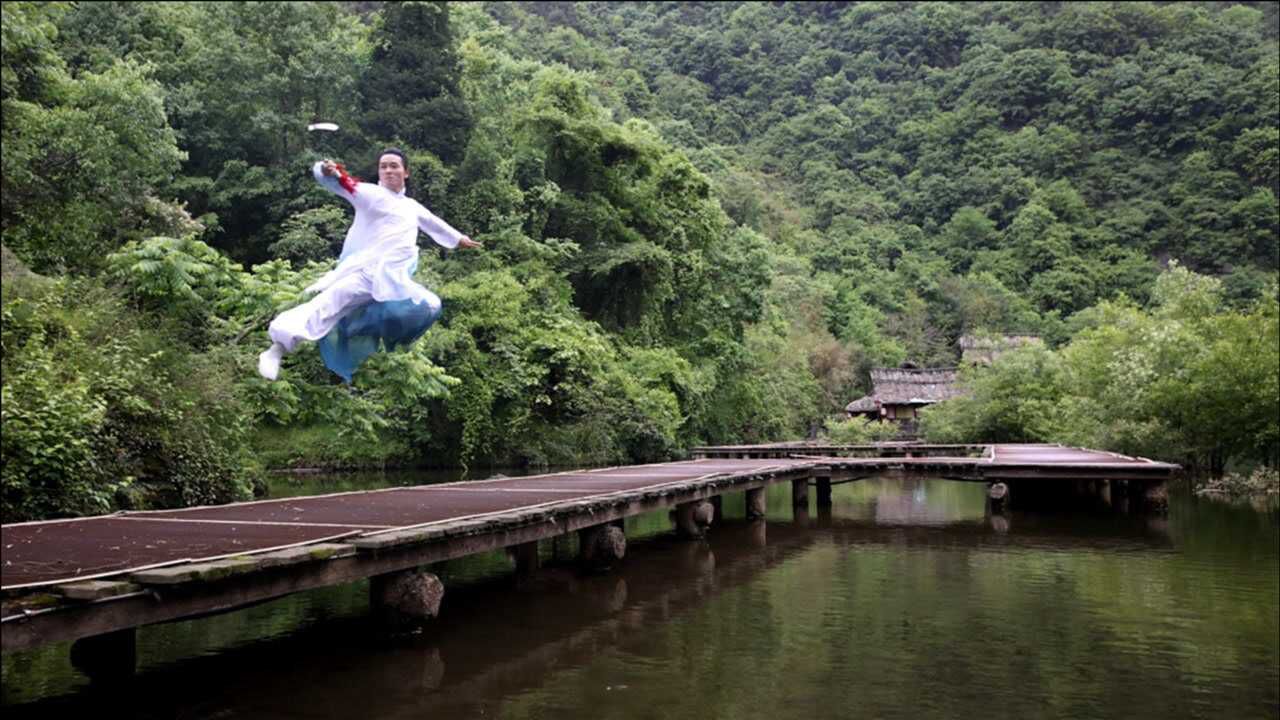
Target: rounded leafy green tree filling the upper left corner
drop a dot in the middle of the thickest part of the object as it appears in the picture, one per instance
(84, 157)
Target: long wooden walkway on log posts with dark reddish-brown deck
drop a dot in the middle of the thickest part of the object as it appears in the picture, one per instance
(97, 580)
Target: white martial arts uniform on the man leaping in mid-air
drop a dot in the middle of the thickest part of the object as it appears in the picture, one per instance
(377, 263)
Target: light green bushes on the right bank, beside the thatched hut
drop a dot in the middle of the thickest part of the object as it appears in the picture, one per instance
(1191, 381)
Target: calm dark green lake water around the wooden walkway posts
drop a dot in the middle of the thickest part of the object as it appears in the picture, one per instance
(907, 600)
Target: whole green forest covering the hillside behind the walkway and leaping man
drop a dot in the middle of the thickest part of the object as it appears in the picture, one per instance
(703, 224)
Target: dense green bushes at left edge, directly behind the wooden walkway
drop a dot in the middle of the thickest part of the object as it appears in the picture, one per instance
(100, 411)
